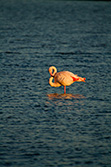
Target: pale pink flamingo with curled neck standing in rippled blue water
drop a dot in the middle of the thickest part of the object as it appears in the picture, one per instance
(63, 78)
